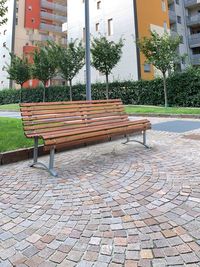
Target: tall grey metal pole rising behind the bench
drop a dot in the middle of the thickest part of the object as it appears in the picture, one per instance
(87, 50)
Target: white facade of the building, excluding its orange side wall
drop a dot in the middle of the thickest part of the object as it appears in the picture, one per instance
(113, 19)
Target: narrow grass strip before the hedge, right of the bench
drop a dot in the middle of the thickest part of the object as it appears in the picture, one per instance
(161, 110)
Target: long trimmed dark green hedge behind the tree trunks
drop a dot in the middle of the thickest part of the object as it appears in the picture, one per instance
(183, 90)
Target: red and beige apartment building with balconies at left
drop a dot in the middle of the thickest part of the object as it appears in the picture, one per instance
(35, 21)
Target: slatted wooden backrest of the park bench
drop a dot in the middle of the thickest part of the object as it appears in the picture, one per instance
(40, 118)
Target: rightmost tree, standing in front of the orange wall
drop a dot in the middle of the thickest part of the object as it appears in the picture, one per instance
(162, 52)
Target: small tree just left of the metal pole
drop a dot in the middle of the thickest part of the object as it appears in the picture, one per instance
(71, 60)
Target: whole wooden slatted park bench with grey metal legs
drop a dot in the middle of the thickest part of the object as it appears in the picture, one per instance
(62, 124)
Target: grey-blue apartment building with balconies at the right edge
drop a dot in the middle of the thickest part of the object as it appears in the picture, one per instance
(184, 18)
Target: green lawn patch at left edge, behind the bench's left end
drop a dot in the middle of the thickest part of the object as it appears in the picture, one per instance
(12, 136)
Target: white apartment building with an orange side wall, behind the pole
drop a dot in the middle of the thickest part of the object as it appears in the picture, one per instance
(125, 19)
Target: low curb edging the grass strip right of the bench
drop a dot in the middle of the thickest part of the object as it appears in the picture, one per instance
(181, 116)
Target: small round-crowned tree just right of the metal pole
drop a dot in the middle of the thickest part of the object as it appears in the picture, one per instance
(105, 56)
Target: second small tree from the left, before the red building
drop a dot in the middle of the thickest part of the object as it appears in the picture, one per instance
(45, 63)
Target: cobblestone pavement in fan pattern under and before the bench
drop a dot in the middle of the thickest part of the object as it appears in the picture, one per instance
(112, 205)
